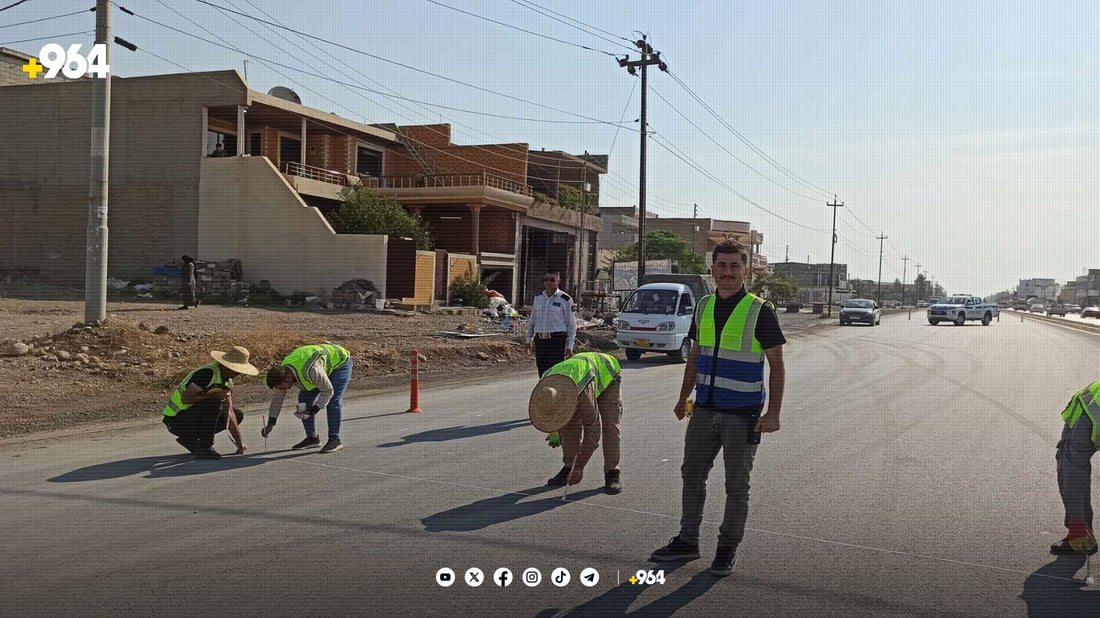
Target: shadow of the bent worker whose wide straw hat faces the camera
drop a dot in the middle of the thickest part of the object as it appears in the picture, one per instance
(499, 510)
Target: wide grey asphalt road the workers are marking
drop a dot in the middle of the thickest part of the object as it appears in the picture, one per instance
(914, 477)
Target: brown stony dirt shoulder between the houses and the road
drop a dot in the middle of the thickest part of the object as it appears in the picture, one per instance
(124, 371)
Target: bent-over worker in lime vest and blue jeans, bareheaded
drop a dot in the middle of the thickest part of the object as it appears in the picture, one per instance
(322, 373)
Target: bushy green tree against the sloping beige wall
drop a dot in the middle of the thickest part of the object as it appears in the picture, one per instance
(367, 212)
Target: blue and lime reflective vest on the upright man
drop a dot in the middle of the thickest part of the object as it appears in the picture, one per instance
(733, 367)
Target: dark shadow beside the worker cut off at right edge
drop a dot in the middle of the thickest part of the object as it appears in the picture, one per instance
(1053, 590)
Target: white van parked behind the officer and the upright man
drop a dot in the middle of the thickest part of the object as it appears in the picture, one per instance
(656, 318)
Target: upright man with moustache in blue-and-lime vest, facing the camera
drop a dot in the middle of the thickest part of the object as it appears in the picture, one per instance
(734, 334)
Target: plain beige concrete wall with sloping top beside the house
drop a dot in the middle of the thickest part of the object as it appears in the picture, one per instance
(249, 212)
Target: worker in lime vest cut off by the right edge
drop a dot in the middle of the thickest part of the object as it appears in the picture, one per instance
(1079, 444)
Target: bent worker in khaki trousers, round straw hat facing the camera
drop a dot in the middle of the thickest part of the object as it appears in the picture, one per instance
(567, 401)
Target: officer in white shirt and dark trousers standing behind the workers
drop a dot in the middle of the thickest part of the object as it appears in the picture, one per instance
(553, 327)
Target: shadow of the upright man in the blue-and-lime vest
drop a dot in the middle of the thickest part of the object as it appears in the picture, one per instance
(618, 601)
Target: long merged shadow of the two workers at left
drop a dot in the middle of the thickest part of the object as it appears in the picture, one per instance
(171, 466)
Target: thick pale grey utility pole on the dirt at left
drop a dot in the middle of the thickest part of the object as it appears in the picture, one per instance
(95, 264)
